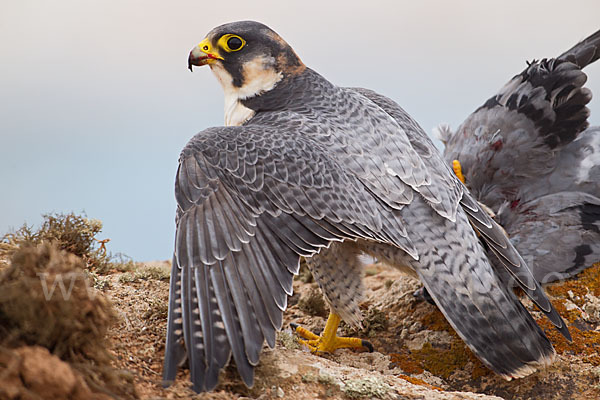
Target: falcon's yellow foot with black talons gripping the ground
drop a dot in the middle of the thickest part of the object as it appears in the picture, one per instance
(329, 341)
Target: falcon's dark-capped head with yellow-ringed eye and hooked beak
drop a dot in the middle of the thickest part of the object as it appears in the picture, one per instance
(247, 57)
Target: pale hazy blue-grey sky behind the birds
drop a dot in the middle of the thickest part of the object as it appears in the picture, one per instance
(96, 100)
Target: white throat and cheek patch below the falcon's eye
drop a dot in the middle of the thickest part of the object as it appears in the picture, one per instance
(259, 77)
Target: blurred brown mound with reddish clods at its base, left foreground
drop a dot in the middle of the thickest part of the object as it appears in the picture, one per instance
(47, 303)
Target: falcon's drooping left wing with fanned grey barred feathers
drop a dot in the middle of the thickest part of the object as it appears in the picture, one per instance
(251, 201)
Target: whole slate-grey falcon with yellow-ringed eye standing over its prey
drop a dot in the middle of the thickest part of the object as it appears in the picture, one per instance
(305, 168)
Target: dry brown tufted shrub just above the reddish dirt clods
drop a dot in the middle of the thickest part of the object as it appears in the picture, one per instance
(45, 300)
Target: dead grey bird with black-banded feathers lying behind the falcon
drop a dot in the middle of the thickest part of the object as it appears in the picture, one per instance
(528, 154)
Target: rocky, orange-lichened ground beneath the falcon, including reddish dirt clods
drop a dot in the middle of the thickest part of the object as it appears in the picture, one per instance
(418, 355)
